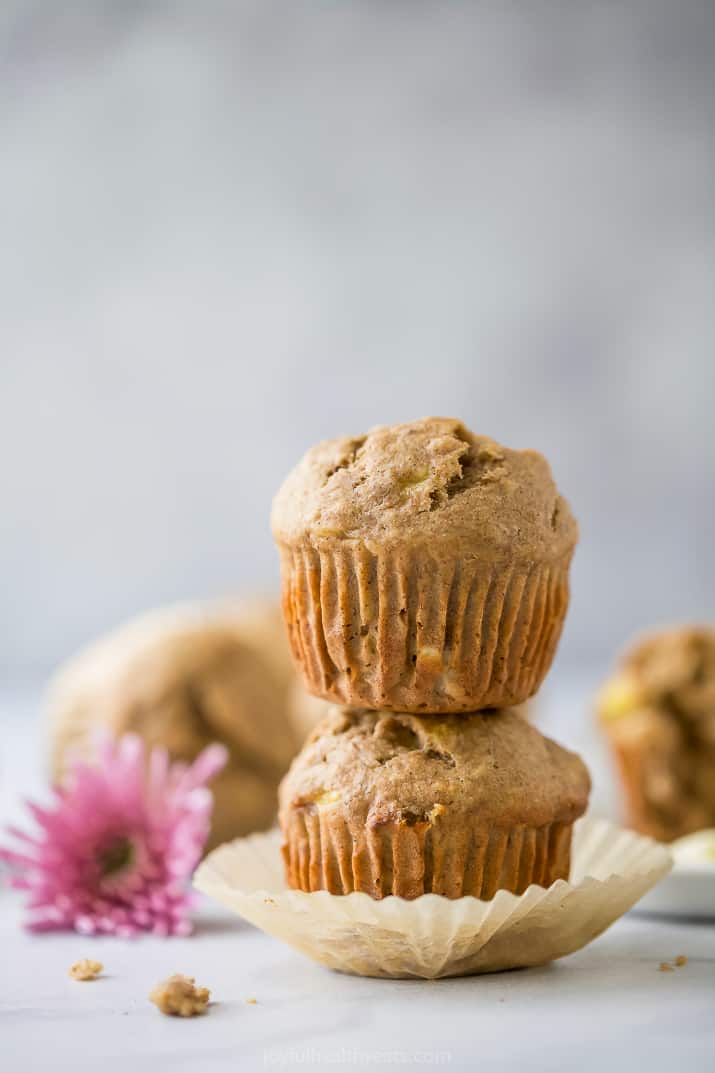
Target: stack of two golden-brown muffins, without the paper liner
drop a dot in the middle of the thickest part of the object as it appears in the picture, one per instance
(426, 583)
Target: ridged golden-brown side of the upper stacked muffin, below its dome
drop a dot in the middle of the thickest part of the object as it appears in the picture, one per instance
(406, 631)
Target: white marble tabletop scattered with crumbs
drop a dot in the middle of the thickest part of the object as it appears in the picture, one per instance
(607, 1007)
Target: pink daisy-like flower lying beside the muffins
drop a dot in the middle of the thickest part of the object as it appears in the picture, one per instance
(120, 842)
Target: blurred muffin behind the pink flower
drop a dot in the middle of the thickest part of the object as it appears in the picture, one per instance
(184, 678)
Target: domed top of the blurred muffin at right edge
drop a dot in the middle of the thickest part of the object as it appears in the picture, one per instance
(672, 670)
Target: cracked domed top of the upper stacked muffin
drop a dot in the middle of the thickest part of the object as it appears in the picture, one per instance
(426, 480)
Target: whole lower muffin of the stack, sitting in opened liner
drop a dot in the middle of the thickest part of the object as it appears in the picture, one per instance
(407, 805)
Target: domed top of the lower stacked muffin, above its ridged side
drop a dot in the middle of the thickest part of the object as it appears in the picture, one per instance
(378, 768)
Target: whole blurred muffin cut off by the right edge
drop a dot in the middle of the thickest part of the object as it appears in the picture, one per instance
(659, 714)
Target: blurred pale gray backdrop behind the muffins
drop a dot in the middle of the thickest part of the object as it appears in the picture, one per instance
(230, 230)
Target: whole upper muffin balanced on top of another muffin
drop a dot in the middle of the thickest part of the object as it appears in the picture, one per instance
(425, 568)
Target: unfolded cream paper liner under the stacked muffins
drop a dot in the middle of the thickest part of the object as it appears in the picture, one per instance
(433, 936)
